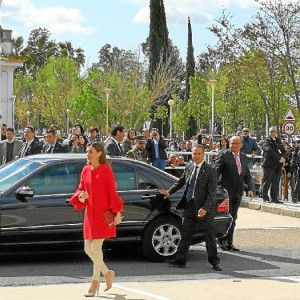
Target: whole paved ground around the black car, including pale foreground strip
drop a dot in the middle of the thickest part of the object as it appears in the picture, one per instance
(268, 267)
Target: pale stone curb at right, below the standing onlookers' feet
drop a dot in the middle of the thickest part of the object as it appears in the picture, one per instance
(285, 209)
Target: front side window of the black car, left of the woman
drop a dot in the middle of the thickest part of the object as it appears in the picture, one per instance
(56, 180)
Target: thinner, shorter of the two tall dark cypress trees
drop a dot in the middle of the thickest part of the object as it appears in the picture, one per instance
(190, 72)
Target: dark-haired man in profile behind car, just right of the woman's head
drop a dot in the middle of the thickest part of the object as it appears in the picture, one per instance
(112, 146)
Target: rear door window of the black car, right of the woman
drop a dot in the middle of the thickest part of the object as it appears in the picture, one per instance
(125, 177)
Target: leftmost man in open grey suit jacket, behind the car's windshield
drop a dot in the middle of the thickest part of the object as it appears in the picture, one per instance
(10, 147)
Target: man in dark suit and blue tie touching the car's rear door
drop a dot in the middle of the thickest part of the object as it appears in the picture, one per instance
(199, 204)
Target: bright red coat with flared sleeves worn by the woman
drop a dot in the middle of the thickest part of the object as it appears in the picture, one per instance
(101, 186)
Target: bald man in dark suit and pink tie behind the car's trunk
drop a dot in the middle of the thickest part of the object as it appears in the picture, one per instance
(232, 170)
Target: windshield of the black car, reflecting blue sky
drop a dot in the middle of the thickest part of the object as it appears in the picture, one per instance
(15, 171)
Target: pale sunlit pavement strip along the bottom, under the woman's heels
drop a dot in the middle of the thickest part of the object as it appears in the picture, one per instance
(231, 289)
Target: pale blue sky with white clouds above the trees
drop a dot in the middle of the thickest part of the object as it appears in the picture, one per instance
(90, 24)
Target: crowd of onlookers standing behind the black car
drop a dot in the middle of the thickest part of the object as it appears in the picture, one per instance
(150, 147)
